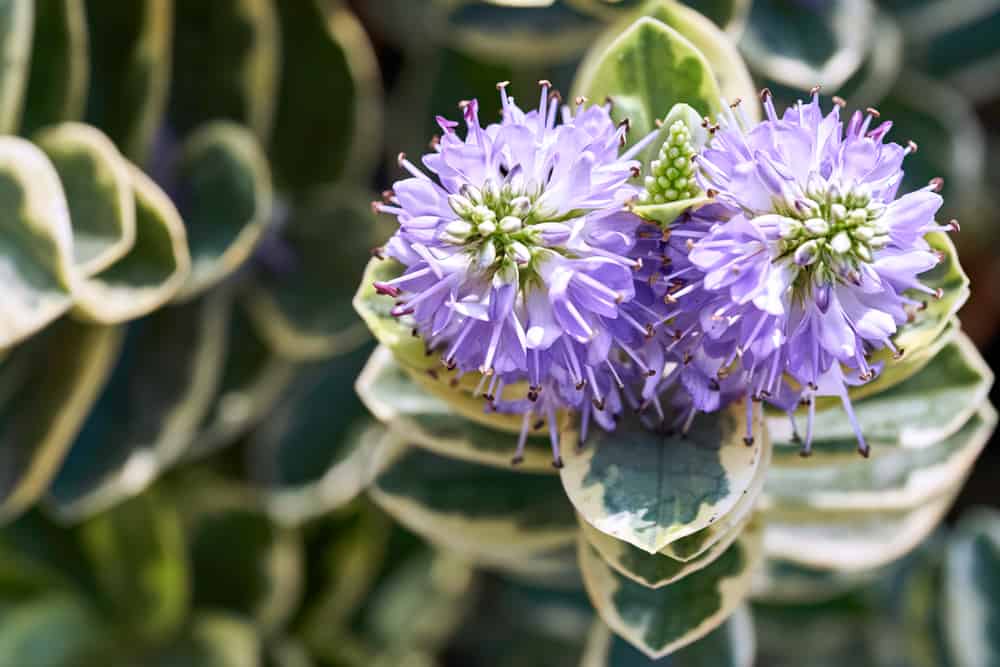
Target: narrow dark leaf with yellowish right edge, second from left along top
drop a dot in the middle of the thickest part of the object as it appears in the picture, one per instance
(57, 85)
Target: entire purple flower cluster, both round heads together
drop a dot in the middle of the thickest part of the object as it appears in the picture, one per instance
(525, 263)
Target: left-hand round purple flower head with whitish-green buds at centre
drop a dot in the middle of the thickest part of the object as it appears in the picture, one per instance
(516, 249)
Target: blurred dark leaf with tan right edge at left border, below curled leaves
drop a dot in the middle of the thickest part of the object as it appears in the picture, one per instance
(40, 416)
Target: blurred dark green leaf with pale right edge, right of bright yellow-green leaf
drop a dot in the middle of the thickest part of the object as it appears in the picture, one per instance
(245, 564)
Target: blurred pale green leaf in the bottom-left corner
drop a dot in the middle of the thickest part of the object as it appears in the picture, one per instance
(56, 630)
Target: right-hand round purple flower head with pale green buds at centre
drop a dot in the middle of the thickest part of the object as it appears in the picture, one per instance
(808, 261)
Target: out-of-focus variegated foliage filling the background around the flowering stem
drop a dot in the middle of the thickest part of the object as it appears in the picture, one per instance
(182, 453)
